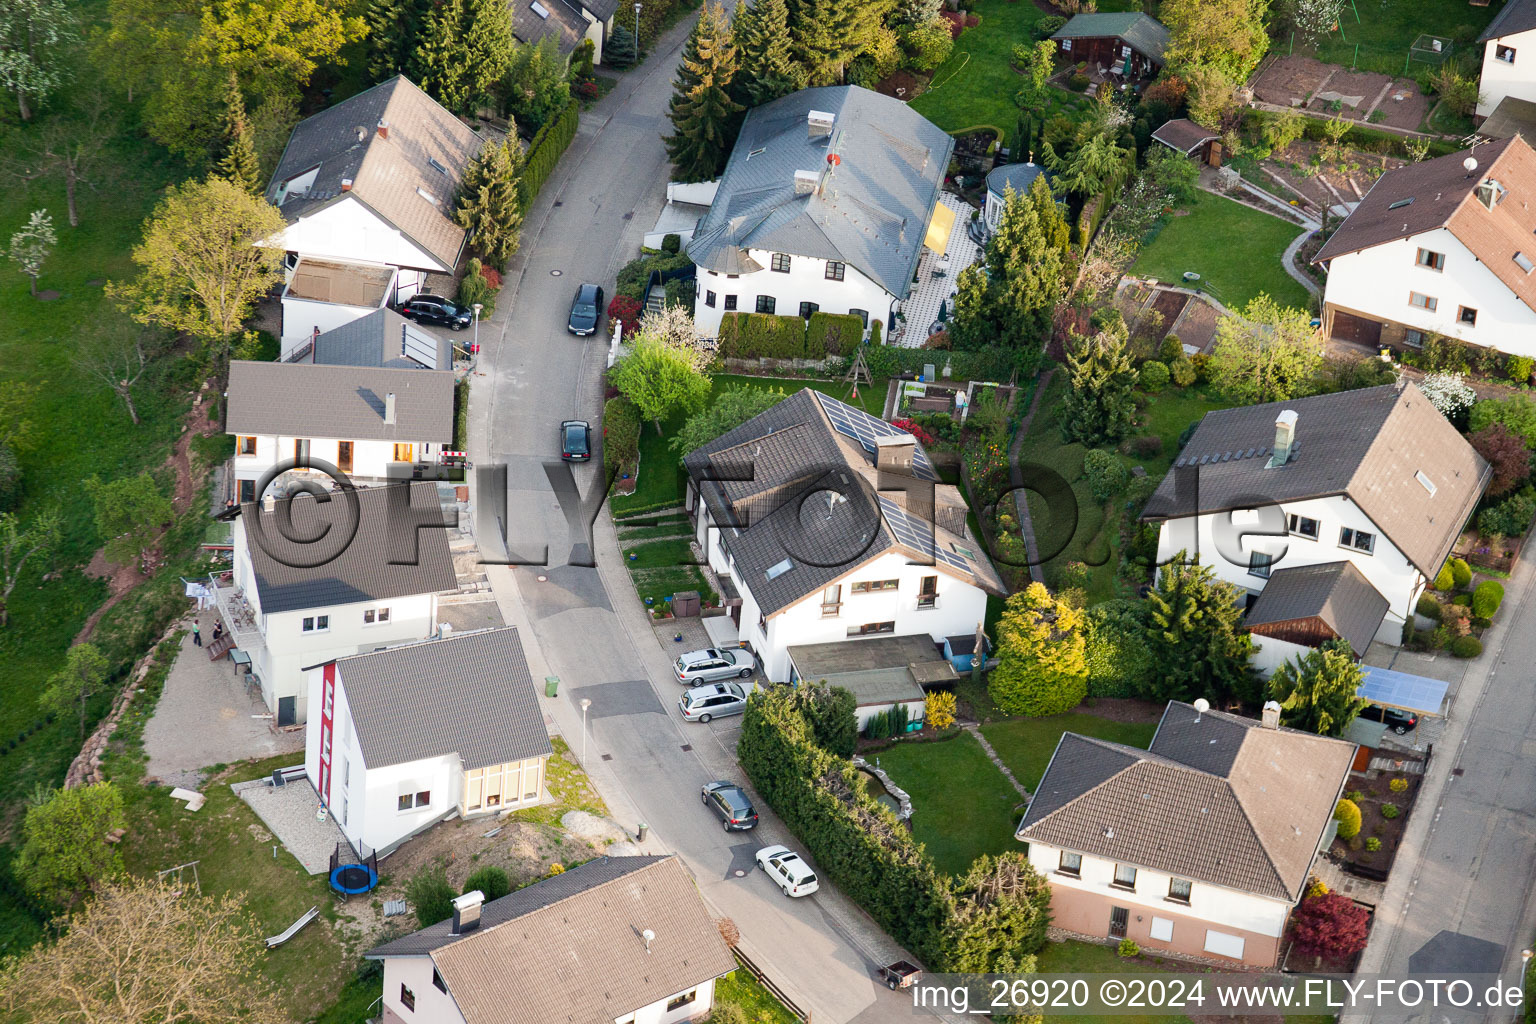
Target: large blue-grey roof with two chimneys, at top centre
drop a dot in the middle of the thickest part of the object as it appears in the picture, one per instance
(872, 211)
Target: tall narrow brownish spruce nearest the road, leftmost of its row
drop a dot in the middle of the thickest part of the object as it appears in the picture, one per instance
(703, 111)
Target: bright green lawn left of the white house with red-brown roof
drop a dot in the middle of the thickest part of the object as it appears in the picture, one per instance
(1236, 251)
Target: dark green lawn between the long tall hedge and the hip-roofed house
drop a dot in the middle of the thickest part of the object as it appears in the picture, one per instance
(962, 807)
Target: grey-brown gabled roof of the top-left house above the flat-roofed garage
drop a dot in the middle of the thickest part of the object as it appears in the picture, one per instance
(386, 173)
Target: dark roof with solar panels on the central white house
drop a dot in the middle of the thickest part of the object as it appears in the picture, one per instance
(758, 475)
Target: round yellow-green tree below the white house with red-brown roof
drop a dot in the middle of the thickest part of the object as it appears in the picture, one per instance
(1266, 354)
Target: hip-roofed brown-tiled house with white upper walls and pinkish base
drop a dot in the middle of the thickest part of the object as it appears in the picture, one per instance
(1199, 845)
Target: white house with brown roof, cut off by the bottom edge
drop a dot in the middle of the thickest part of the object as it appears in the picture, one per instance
(620, 940)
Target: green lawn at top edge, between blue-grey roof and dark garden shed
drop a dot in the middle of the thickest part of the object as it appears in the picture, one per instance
(978, 85)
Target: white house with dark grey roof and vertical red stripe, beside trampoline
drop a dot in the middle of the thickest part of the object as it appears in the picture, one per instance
(386, 775)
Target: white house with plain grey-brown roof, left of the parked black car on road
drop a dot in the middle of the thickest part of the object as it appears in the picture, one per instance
(366, 421)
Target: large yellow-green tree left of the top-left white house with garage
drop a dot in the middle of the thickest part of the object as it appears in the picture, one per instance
(200, 262)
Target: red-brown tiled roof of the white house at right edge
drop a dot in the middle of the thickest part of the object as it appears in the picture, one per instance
(1443, 196)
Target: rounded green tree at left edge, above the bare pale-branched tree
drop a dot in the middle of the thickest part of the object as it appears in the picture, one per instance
(64, 842)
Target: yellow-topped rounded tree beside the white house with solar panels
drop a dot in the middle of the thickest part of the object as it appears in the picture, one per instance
(1042, 667)
